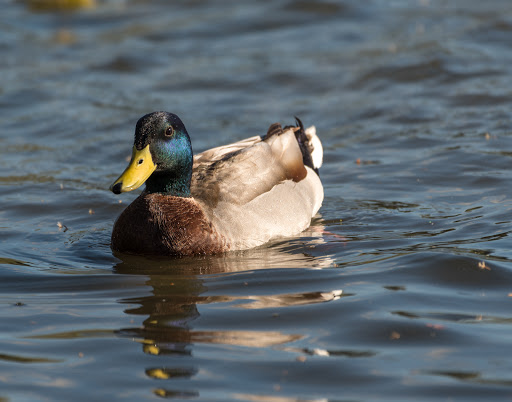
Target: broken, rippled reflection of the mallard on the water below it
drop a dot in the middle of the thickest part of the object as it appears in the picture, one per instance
(179, 286)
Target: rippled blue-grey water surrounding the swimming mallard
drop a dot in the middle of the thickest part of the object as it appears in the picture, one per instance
(400, 290)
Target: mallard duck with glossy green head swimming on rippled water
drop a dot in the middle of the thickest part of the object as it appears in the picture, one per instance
(232, 197)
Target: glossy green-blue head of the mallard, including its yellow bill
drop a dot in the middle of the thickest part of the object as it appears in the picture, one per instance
(161, 157)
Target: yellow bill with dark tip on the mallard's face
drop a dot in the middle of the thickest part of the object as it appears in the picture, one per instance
(138, 171)
